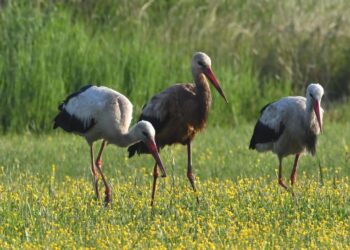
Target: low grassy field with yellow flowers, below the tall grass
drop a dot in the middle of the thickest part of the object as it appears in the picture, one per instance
(47, 199)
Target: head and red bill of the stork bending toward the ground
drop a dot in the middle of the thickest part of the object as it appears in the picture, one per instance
(146, 133)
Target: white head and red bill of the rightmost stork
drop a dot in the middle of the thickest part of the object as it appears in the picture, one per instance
(314, 94)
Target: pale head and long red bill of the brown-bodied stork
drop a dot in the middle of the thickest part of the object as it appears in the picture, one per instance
(201, 63)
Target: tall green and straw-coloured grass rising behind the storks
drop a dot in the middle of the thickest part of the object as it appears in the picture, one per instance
(260, 51)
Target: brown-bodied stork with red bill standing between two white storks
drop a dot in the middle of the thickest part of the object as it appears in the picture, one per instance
(179, 112)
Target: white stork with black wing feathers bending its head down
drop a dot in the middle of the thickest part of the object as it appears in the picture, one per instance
(102, 113)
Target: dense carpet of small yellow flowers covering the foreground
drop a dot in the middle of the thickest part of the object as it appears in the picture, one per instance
(247, 213)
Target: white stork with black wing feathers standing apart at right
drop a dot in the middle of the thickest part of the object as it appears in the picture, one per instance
(290, 126)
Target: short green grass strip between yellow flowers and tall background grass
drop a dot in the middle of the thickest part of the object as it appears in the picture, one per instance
(219, 152)
